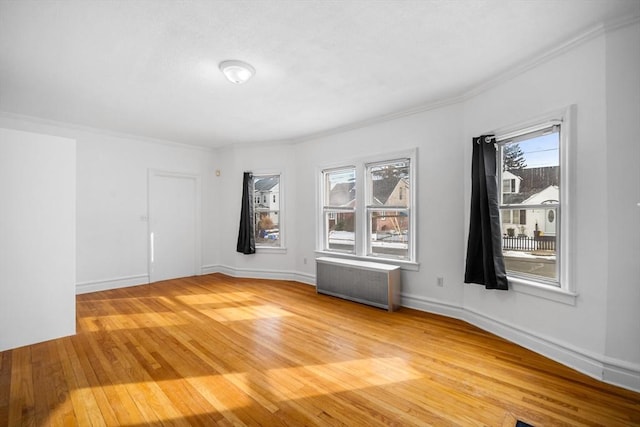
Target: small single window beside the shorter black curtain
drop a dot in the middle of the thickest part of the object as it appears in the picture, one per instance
(266, 209)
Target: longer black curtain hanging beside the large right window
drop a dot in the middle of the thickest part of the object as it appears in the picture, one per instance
(485, 265)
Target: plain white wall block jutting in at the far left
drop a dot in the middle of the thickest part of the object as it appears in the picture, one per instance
(37, 238)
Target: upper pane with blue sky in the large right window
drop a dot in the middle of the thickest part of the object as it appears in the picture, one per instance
(531, 170)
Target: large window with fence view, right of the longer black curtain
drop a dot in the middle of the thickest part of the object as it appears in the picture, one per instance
(531, 242)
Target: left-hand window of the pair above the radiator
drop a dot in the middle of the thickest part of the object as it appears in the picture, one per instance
(339, 207)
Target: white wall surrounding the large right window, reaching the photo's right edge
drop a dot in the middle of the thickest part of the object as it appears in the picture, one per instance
(600, 333)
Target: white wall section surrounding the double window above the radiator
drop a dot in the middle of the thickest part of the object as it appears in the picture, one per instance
(436, 134)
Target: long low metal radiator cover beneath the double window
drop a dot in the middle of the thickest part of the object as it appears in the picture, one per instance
(365, 282)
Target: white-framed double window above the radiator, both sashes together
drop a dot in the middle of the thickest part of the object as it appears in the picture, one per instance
(368, 209)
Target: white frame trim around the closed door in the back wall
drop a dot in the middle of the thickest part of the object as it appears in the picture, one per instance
(159, 173)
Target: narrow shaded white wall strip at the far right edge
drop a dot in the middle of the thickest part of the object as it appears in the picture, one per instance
(623, 195)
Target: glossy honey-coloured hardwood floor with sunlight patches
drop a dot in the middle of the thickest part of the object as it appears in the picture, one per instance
(214, 350)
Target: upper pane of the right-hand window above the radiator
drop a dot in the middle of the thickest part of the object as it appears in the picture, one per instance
(389, 184)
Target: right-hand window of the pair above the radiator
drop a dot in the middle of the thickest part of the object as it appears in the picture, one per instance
(388, 209)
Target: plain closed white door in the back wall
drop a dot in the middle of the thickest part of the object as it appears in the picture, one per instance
(173, 226)
